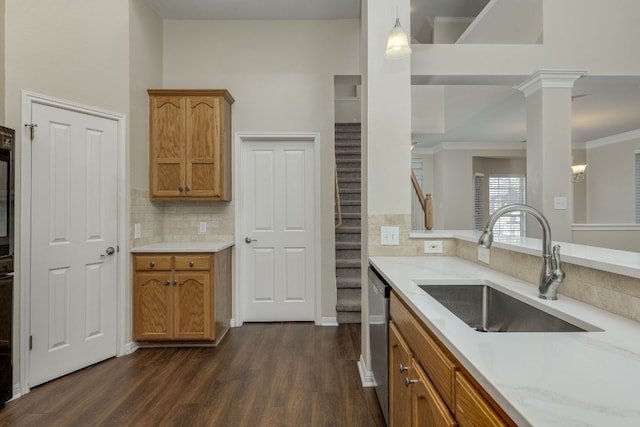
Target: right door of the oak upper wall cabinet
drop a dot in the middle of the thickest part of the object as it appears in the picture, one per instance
(203, 146)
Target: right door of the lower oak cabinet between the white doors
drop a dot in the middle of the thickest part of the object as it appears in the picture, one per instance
(193, 302)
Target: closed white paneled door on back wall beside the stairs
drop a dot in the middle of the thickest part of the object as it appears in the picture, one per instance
(278, 231)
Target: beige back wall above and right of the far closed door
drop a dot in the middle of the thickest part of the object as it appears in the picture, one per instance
(281, 75)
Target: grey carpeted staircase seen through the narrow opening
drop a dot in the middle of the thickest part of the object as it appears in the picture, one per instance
(348, 271)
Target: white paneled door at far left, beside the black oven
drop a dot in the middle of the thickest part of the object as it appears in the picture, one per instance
(74, 222)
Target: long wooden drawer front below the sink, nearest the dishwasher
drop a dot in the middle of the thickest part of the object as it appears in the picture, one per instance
(437, 365)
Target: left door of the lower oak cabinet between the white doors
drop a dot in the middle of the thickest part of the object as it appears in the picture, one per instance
(152, 306)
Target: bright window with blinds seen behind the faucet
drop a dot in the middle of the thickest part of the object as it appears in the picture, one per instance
(507, 190)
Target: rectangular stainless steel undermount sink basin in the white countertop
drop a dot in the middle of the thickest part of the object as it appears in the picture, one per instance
(487, 309)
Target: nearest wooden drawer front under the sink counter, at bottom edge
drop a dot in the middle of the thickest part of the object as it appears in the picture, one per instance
(471, 408)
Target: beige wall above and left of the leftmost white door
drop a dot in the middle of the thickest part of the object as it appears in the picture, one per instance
(77, 50)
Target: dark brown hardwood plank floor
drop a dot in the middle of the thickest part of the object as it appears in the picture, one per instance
(262, 374)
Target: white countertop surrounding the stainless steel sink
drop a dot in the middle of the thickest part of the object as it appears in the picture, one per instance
(539, 379)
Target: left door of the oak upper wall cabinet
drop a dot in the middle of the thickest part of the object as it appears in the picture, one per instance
(167, 148)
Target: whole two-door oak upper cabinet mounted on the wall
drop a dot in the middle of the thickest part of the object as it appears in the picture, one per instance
(190, 144)
